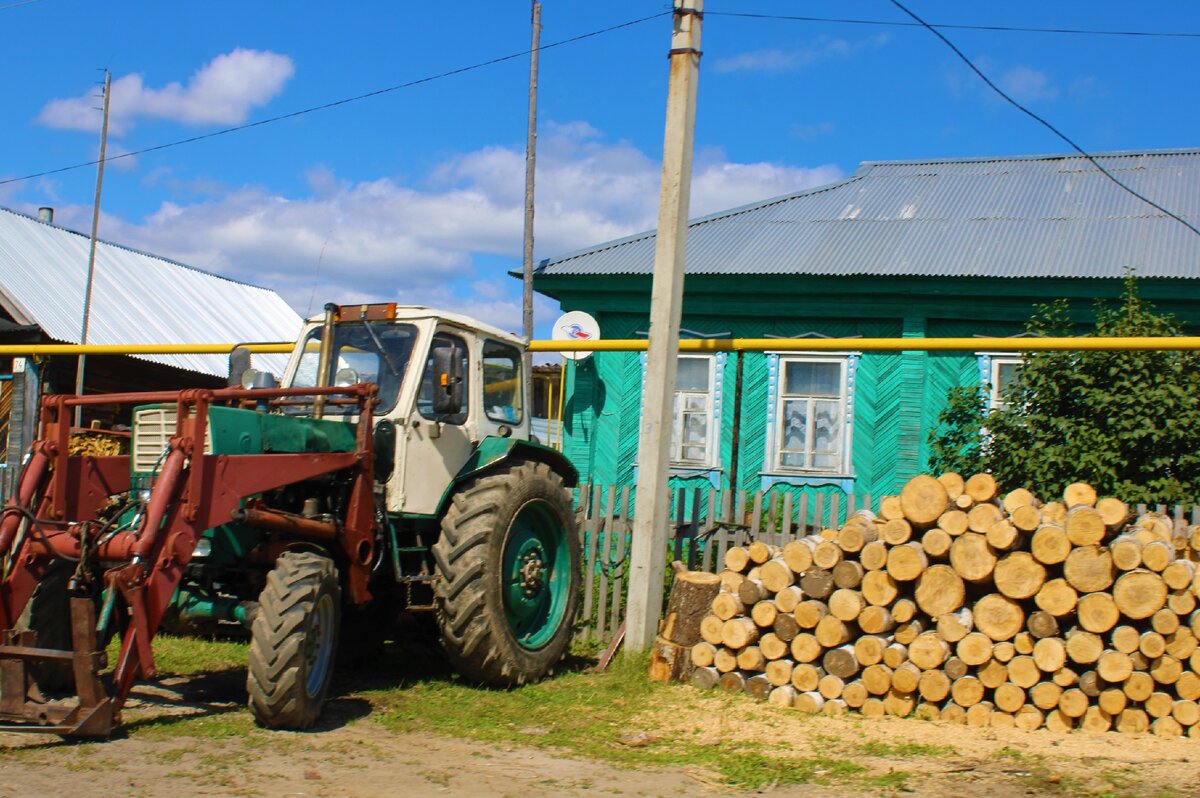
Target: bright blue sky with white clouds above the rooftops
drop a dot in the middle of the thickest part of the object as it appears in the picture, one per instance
(416, 195)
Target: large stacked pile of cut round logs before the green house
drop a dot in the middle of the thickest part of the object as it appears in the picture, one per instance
(957, 603)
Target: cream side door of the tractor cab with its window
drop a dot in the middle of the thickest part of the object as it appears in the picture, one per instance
(439, 442)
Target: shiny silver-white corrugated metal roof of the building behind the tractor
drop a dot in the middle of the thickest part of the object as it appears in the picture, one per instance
(136, 298)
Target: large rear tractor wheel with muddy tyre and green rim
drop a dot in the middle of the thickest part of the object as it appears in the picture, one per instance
(509, 561)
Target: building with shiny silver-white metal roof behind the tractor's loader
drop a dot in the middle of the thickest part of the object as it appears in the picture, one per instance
(137, 298)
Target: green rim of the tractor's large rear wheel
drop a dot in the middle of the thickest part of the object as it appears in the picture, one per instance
(536, 577)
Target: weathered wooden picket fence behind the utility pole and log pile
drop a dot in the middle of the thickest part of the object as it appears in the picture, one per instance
(705, 523)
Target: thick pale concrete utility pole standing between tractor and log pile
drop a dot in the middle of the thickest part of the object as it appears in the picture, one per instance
(651, 509)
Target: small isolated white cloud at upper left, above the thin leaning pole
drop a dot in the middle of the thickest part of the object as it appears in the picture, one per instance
(221, 93)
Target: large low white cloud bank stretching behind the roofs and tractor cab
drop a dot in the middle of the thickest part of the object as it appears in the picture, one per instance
(448, 242)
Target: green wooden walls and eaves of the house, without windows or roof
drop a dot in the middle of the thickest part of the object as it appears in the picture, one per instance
(898, 397)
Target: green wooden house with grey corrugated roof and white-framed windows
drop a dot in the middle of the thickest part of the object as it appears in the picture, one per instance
(921, 249)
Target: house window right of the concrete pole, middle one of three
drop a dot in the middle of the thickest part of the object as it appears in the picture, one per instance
(811, 416)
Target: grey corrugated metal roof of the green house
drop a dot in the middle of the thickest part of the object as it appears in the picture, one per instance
(1033, 217)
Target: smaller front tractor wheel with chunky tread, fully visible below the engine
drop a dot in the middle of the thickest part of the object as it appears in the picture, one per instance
(293, 641)
